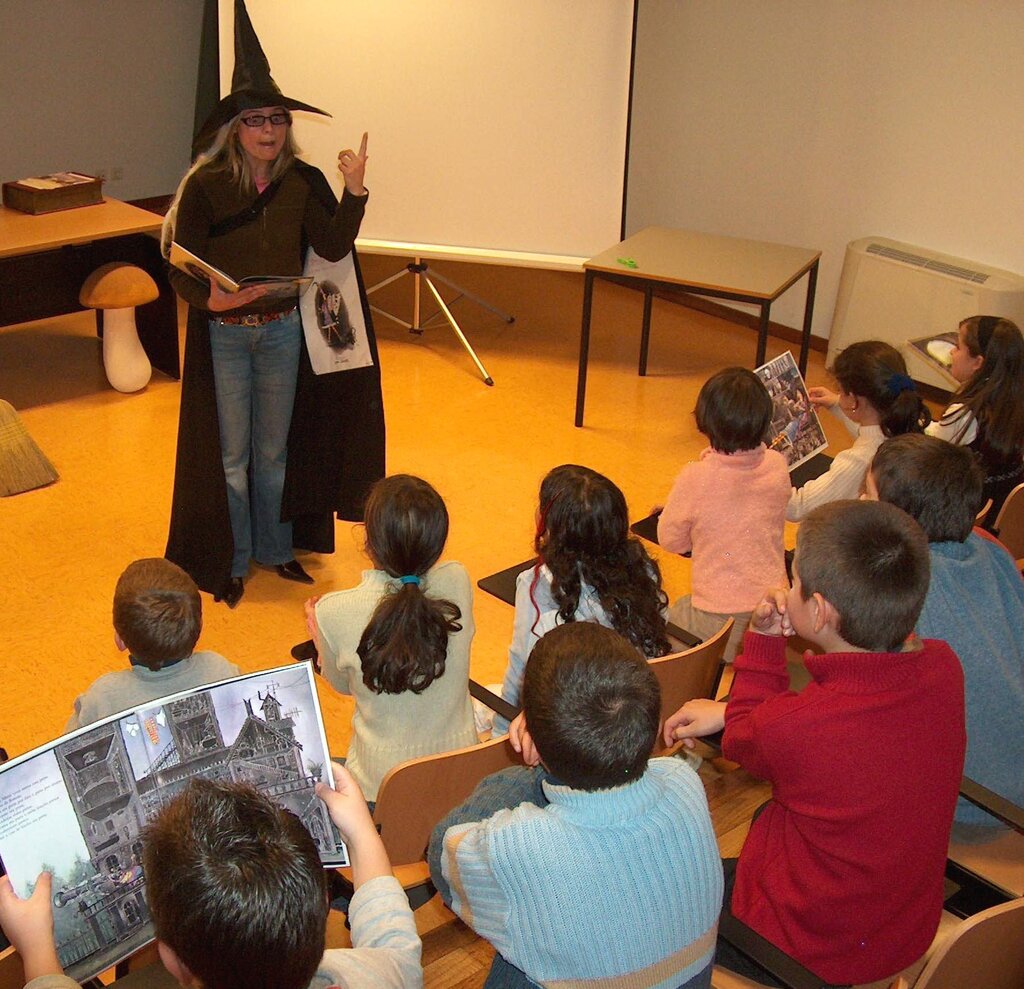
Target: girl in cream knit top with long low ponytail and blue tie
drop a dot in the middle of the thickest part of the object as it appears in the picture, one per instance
(400, 641)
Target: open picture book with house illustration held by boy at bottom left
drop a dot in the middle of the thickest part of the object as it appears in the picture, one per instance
(76, 807)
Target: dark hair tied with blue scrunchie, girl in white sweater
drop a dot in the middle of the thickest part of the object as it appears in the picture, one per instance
(876, 371)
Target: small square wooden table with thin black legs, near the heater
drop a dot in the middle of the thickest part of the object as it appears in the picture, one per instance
(723, 268)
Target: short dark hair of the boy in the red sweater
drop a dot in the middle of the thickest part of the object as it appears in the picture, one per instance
(870, 562)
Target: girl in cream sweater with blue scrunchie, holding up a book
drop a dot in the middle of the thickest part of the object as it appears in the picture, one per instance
(877, 400)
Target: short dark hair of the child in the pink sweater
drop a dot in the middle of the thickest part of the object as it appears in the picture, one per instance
(734, 411)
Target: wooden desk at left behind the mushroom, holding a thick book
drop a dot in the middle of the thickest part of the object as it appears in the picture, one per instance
(46, 260)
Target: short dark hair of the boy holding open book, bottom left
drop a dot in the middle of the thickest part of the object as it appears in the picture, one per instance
(236, 888)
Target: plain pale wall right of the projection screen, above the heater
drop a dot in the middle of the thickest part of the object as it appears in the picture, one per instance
(819, 122)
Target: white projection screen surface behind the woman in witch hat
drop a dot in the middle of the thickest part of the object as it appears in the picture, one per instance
(494, 124)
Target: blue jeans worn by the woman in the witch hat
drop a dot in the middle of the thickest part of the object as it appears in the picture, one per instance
(255, 370)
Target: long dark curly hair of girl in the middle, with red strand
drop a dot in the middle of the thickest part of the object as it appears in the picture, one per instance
(583, 537)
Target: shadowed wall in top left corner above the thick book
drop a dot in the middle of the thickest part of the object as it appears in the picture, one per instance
(95, 85)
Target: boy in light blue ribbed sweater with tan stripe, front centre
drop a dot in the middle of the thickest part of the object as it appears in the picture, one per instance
(604, 869)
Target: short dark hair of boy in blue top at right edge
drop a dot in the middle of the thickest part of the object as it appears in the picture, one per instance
(935, 483)
